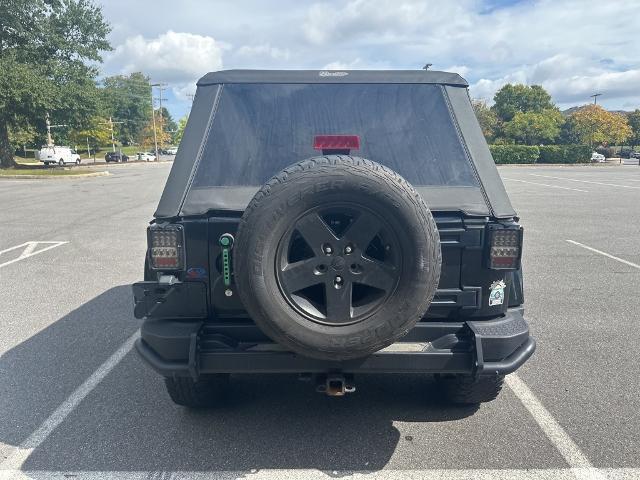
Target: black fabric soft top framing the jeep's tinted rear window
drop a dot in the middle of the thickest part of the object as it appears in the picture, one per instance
(184, 194)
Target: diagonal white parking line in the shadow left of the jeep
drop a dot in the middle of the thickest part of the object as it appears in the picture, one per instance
(17, 458)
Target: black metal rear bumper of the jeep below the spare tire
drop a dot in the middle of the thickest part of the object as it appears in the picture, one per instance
(191, 348)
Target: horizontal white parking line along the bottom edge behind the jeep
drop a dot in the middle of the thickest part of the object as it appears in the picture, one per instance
(309, 474)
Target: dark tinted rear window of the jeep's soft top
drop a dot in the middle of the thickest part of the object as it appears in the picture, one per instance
(259, 129)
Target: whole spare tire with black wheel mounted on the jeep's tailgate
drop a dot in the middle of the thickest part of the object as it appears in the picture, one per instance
(336, 257)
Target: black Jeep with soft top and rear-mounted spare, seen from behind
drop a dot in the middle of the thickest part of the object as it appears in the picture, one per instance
(333, 223)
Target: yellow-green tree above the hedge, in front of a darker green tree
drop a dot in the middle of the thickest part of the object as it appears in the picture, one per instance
(534, 128)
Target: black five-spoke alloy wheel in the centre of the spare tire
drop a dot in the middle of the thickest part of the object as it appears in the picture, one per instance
(338, 264)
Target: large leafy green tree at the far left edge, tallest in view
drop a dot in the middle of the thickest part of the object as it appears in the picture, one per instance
(46, 50)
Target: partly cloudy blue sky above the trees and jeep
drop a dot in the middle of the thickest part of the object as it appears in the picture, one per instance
(573, 48)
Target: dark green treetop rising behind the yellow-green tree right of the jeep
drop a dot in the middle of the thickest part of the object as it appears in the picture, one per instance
(511, 99)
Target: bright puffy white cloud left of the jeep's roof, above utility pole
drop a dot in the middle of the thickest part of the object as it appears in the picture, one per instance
(172, 56)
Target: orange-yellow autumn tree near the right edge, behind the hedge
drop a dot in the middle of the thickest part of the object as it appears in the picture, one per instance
(593, 124)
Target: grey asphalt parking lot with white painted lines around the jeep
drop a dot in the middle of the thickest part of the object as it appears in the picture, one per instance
(78, 402)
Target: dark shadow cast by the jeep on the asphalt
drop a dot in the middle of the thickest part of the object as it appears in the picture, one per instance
(128, 422)
